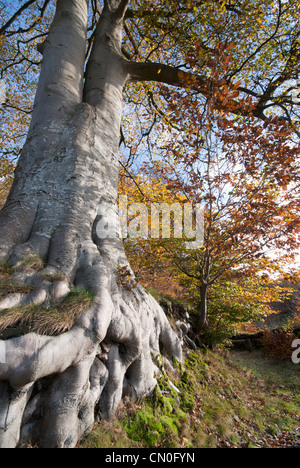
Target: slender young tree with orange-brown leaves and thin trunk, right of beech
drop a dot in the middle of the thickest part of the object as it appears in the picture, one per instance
(245, 173)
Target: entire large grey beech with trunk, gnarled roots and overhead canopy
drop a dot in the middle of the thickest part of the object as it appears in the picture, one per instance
(68, 168)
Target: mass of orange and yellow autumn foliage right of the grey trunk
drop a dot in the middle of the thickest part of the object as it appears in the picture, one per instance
(245, 171)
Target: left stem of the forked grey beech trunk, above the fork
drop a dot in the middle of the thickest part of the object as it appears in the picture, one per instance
(61, 76)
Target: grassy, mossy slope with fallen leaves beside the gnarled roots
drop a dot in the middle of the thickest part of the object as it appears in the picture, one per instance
(226, 399)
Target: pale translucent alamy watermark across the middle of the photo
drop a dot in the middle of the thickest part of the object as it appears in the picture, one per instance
(155, 221)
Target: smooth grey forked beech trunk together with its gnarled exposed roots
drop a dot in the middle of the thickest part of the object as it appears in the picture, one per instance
(67, 180)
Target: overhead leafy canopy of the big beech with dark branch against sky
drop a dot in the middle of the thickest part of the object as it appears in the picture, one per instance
(170, 42)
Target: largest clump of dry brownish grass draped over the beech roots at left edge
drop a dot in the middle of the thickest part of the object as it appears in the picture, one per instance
(44, 320)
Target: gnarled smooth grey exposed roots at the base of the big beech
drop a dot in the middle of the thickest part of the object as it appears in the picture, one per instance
(50, 386)
